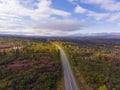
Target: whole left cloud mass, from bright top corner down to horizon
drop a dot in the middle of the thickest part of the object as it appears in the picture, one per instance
(16, 18)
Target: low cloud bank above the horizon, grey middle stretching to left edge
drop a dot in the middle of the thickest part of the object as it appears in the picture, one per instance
(50, 28)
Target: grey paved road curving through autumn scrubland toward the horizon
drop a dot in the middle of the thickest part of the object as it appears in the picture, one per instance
(70, 83)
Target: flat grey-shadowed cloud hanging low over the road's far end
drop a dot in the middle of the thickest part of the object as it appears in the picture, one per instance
(61, 25)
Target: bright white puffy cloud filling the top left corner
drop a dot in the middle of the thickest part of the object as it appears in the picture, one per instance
(43, 11)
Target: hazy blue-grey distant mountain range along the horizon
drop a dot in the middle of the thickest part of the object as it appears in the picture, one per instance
(93, 35)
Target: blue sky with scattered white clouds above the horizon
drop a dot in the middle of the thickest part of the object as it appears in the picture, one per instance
(59, 17)
